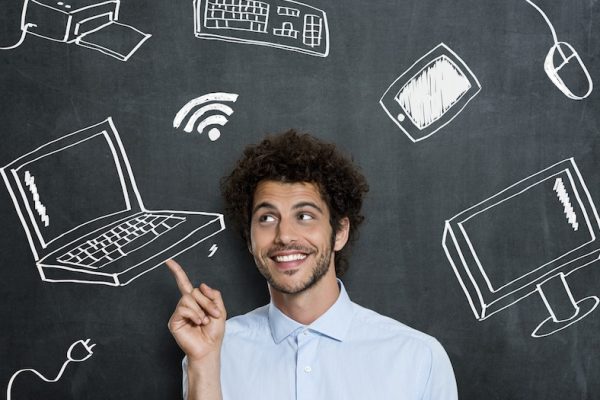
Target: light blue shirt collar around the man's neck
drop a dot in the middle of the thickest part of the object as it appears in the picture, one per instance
(334, 323)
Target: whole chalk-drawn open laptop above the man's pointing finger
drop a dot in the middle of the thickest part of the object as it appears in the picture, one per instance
(83, 214)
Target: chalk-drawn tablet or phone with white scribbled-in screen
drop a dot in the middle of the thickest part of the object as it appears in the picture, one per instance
(428, 95)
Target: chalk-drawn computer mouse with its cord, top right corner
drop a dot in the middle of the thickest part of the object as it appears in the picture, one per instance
(551, 71)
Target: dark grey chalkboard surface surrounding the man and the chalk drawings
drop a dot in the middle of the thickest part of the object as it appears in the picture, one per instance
(517, 125)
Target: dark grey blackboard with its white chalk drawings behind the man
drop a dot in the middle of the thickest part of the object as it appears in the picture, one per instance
(477, 163)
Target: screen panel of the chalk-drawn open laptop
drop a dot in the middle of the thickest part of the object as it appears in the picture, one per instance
(90, 186)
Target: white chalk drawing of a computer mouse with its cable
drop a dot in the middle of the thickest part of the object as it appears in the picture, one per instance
(563, 63)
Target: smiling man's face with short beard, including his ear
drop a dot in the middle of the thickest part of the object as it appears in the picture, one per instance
(291, 238)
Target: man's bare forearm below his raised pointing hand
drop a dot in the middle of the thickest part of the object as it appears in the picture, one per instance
(204, 379)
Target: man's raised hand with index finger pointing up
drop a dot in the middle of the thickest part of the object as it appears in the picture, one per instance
(198, 322)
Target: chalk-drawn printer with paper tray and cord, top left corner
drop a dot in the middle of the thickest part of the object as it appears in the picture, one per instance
(89, 24)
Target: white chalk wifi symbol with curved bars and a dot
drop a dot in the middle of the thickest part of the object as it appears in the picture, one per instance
(210, 104)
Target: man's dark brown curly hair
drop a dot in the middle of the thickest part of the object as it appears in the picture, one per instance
(297, 157)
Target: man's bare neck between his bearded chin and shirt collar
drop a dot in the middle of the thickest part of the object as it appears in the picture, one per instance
(307, 306)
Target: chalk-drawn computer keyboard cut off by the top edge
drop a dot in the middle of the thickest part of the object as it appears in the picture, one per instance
(284, 24)
